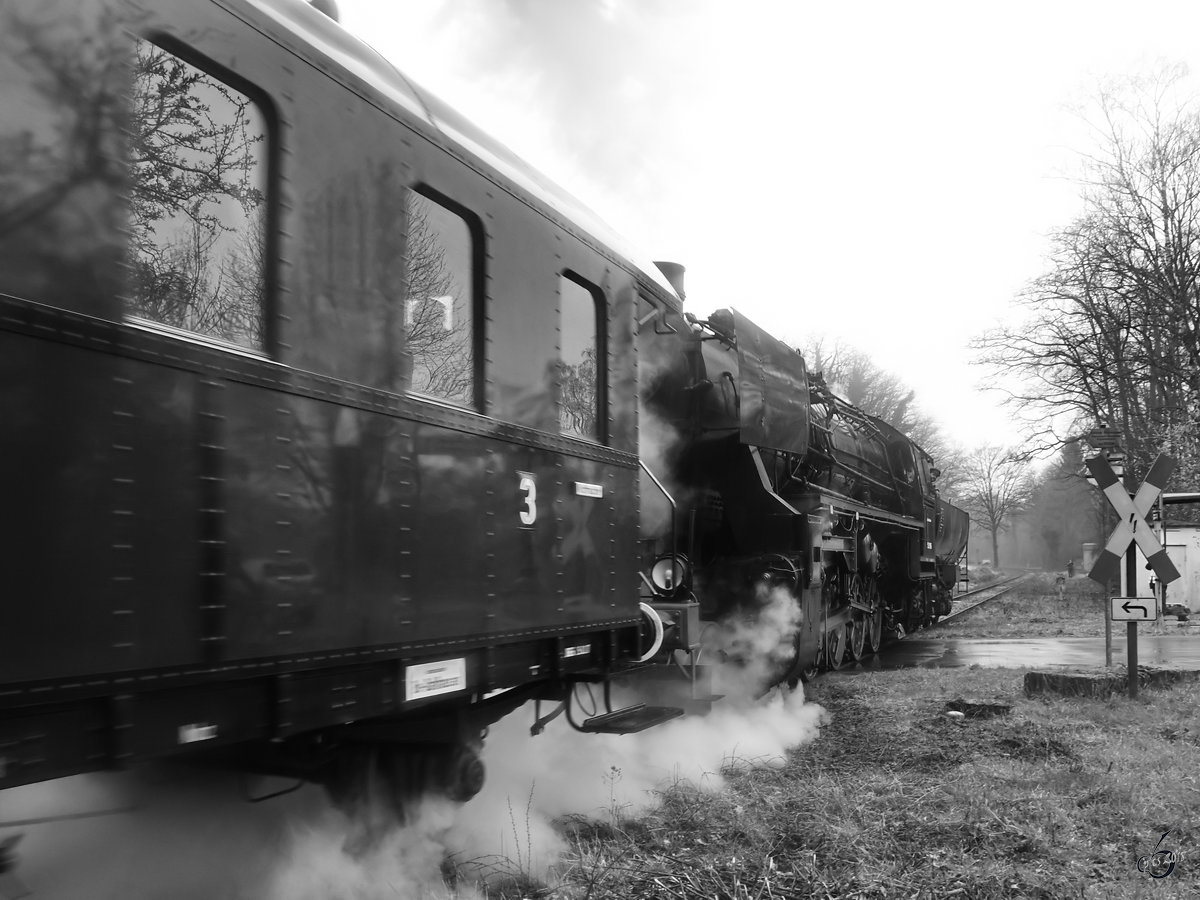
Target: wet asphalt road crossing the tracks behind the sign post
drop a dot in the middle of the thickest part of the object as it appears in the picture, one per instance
(1181, 651)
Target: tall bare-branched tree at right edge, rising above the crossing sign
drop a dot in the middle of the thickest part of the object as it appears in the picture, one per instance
(1113, 334)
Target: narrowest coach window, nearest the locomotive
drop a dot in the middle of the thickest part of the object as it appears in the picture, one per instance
(580, 373)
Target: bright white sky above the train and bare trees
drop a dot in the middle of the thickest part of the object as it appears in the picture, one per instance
(879, 173)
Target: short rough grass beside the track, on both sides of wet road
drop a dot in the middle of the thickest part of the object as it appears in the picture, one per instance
(1059, 799)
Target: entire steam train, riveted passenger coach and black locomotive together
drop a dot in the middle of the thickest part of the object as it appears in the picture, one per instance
(328, 424)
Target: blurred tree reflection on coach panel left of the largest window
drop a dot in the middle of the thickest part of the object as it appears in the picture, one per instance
(62, 85)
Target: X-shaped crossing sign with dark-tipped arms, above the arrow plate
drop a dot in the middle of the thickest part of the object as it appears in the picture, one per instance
(1133, 525)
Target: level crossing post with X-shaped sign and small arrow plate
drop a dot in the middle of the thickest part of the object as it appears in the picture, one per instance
(1132, 530)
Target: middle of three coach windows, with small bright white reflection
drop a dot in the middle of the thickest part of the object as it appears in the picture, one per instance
(440, 314)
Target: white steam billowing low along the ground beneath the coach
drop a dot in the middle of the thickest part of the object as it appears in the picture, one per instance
(195, 837)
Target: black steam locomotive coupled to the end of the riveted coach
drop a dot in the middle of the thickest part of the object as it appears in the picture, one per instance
(767, 485)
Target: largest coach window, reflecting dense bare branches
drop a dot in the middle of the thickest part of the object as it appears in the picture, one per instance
(197, 201)
